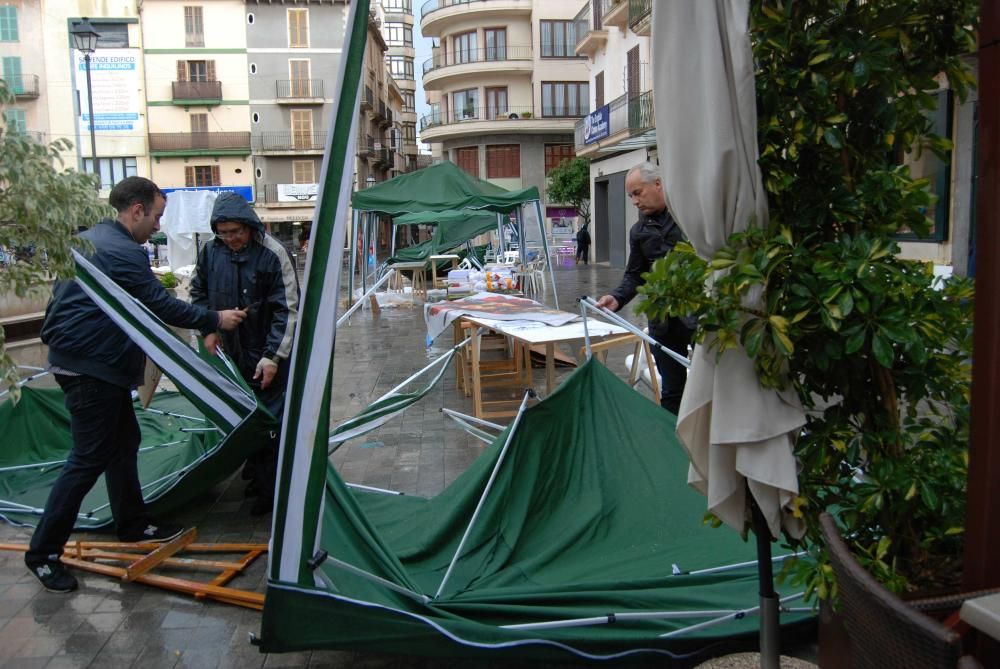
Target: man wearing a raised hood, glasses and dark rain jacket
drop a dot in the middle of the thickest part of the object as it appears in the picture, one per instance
(246, 268)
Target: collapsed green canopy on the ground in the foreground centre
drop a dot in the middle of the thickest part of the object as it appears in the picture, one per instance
(585, 515)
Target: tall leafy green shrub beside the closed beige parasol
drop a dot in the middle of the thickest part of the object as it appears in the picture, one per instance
(877, 351)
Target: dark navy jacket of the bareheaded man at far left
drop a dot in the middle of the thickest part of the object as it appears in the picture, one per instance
(83, 339)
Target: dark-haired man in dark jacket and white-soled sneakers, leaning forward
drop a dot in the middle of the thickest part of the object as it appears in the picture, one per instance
(97, 365)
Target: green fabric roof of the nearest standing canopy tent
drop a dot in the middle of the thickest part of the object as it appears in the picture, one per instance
(438, 188)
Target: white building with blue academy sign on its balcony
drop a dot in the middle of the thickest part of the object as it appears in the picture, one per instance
(620, 132)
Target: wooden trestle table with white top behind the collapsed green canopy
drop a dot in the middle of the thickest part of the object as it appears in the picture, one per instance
(524, 335)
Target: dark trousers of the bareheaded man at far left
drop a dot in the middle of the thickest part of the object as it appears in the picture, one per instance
(105, 441)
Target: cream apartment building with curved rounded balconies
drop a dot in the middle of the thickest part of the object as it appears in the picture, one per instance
(508, 88)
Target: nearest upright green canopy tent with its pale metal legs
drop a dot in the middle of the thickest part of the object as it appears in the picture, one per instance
(442, 187)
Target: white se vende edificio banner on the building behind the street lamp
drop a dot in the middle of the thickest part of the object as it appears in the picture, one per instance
(114, 75)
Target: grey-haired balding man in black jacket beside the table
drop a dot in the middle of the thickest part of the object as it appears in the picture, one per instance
(653, 236)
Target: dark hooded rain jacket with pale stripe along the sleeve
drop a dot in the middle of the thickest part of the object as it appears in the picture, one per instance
(261, 277)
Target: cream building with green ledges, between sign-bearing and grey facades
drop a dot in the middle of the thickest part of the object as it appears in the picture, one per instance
(199, 126)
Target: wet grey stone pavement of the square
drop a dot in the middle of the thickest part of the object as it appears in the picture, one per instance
(108, 623)
